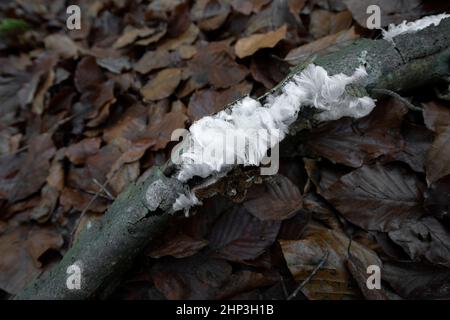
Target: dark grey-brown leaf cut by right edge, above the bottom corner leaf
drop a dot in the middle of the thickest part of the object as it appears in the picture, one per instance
(424, 239)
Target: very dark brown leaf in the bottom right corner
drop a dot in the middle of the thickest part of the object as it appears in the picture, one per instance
(417, 281)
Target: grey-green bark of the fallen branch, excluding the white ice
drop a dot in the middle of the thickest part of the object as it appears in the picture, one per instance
(107, 249)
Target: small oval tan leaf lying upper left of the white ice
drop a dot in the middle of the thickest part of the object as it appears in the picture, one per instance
(163, 85)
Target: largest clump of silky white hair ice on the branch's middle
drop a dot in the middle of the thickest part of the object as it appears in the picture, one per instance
(242, 134)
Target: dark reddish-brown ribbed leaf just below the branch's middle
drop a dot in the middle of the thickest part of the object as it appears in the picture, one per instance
(238, 236)
